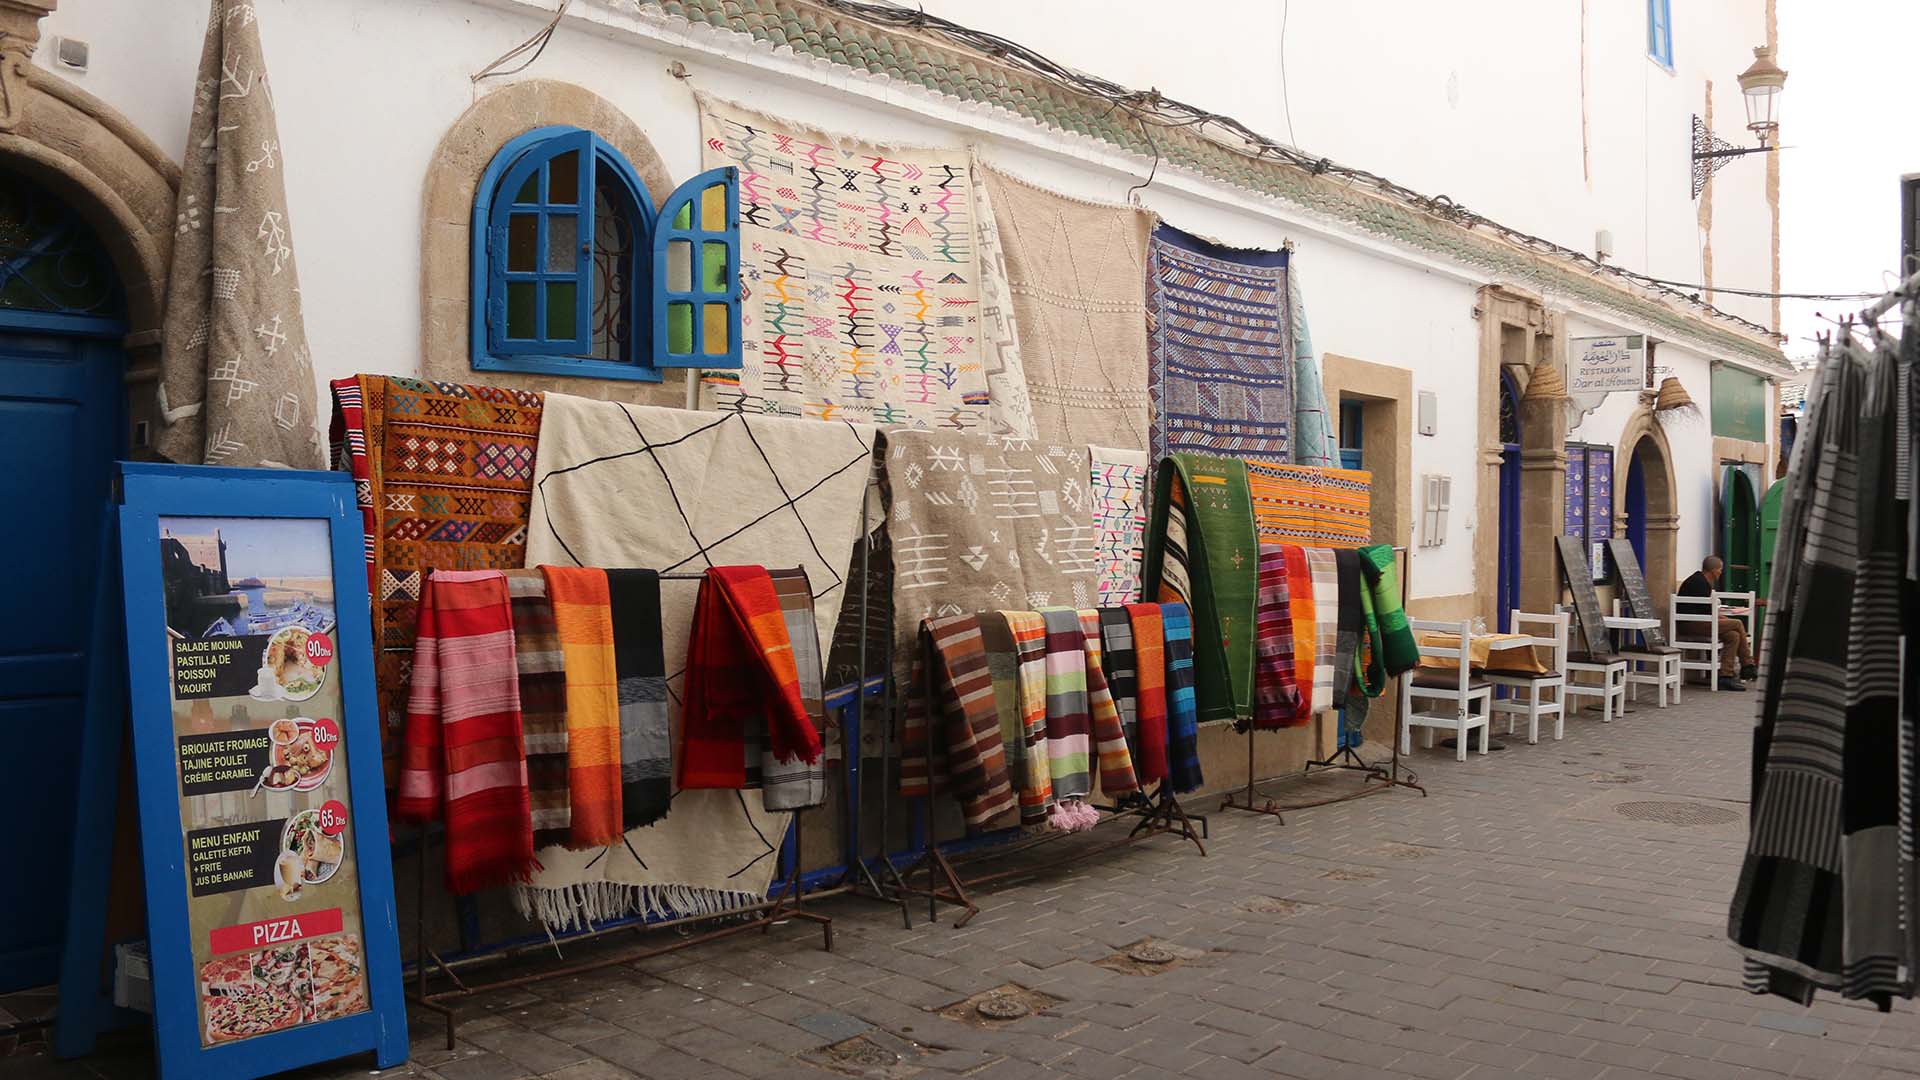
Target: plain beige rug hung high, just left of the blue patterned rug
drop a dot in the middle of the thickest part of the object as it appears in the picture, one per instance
(1076, 272)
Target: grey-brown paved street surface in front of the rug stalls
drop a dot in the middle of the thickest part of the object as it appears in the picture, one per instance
(1548, 910)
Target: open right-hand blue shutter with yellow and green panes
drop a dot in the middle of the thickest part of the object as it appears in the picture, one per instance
(698, 276)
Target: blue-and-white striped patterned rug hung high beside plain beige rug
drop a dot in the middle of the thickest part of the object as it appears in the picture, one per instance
(1220, 347)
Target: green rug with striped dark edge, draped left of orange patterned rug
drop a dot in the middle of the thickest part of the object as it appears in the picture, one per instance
(1211, 497)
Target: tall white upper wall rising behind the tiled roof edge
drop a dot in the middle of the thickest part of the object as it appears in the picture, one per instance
(1479, 101)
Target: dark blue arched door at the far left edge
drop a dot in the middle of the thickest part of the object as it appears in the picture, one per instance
(62, 422)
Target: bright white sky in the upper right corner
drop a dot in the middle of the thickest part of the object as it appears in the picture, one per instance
(1852, 128)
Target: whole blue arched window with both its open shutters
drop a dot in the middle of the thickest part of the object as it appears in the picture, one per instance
(575, 274)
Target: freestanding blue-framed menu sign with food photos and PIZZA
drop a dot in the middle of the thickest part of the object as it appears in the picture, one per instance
(270, 885)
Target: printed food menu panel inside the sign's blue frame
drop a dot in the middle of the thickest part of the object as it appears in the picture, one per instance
(262, 760)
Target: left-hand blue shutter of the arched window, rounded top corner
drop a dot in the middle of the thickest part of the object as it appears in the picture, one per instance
(544, 214)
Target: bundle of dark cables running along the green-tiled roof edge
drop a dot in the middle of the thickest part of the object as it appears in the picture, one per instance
(1155, 109)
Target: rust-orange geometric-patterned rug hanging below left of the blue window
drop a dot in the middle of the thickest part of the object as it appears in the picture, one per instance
(443, 476)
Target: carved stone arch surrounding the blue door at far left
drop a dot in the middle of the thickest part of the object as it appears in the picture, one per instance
(118, 180)
